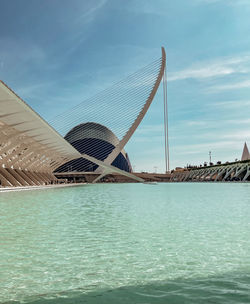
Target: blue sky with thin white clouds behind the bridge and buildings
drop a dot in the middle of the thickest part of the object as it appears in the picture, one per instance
(56, 53)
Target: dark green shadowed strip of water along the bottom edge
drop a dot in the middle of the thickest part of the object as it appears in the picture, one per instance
(232, 288)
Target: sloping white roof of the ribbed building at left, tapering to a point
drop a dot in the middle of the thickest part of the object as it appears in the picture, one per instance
(28, 142)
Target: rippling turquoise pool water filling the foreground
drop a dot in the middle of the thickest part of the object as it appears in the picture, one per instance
(126, 243)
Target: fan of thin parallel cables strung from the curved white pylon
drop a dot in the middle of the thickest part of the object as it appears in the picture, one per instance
(115, 108)
